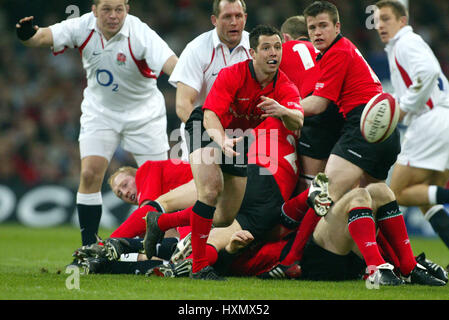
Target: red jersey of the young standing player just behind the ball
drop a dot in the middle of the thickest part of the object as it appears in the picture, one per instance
(345, 76)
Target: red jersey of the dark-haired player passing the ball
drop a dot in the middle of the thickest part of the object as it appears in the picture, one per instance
(236, 93)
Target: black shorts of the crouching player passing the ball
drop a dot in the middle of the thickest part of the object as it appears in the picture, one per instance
(197, 137)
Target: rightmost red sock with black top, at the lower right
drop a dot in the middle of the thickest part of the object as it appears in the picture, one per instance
(391, 222)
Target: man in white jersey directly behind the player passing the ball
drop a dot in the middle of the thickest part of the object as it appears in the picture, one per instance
(206, 55)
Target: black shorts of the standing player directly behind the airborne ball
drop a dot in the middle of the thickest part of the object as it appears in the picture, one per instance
(374, 158)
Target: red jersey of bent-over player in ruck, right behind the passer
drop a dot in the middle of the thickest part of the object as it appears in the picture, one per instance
(275, 149)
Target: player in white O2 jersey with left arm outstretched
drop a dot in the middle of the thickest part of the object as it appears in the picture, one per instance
(122, 58)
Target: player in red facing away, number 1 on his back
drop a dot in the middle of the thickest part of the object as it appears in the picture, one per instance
(298, 63)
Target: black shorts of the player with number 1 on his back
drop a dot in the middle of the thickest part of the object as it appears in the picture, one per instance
(320, 133)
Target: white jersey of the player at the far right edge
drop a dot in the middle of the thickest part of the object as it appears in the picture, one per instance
(416, 75)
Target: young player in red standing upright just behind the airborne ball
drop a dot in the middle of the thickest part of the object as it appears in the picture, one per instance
(347, 80)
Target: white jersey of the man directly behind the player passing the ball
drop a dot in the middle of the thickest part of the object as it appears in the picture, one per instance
(203, 58)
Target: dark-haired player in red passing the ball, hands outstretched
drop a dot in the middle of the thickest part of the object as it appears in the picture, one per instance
(242, 96)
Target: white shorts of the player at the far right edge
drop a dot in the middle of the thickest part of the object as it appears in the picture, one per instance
(426, 141)
